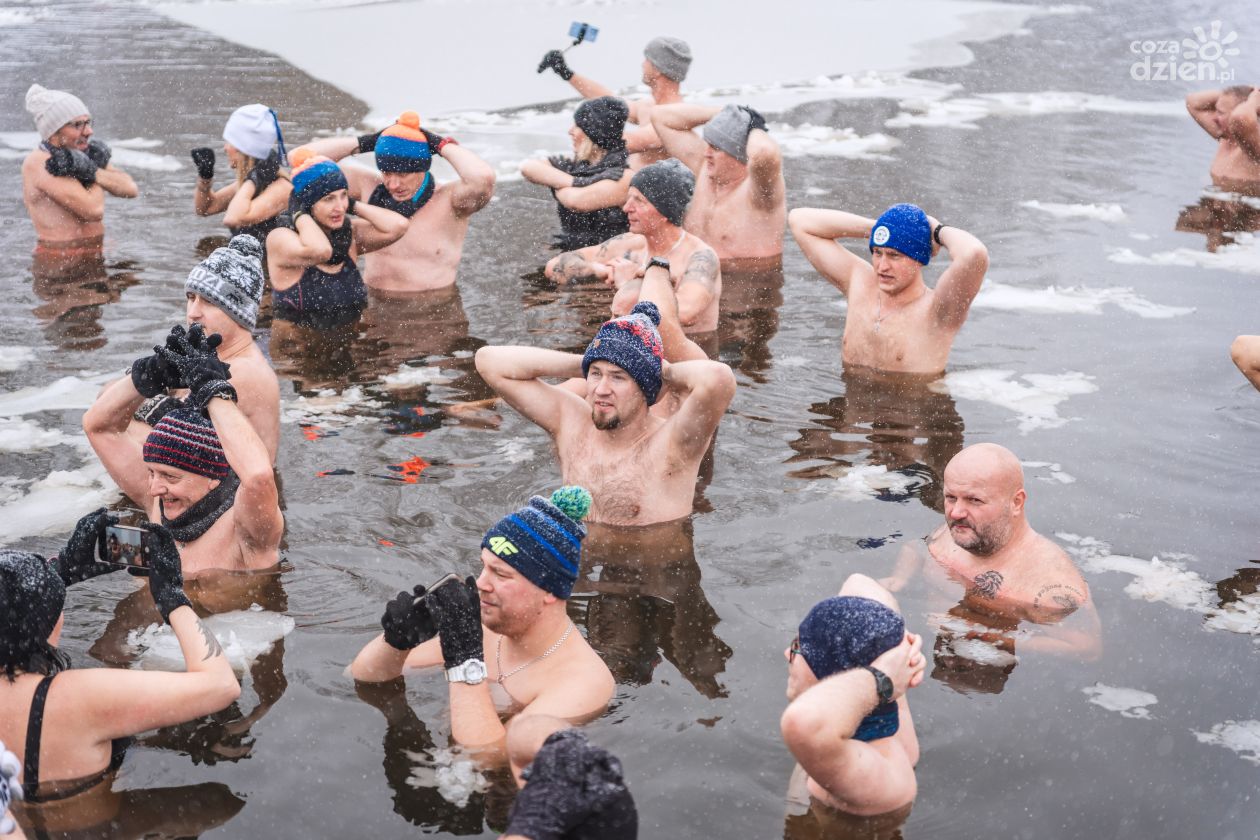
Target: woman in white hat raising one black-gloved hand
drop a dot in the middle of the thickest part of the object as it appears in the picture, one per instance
(256, 153)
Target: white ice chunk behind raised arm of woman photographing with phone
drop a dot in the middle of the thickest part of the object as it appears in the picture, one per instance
(245, 635)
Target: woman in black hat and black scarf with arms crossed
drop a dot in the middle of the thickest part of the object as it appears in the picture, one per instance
(590, 187)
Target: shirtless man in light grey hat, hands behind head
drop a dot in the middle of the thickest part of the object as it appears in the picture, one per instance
(740, 202)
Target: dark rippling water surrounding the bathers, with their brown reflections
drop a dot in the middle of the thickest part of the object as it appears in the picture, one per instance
(1162, 454)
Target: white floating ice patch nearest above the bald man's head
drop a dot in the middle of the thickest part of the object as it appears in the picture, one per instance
(1036, 402)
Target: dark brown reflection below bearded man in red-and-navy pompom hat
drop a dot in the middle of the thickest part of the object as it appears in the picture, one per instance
(642, 594)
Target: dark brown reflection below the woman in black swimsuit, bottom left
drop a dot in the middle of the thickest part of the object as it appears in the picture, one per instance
(101, 814)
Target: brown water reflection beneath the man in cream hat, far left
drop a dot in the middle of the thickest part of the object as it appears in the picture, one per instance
(74, 285)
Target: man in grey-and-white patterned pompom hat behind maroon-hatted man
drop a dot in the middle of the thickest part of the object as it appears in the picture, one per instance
(224, 294)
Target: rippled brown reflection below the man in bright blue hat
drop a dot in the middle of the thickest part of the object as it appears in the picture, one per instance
(886, 420)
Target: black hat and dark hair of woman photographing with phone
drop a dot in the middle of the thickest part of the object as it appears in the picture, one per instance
(32, 596)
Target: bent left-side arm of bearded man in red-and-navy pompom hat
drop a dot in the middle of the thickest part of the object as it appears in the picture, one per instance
(516, 375)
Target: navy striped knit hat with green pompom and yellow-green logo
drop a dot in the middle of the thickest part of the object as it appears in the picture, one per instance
(544, 540)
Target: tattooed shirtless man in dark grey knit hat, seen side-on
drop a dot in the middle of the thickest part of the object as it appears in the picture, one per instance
(658, 200)
